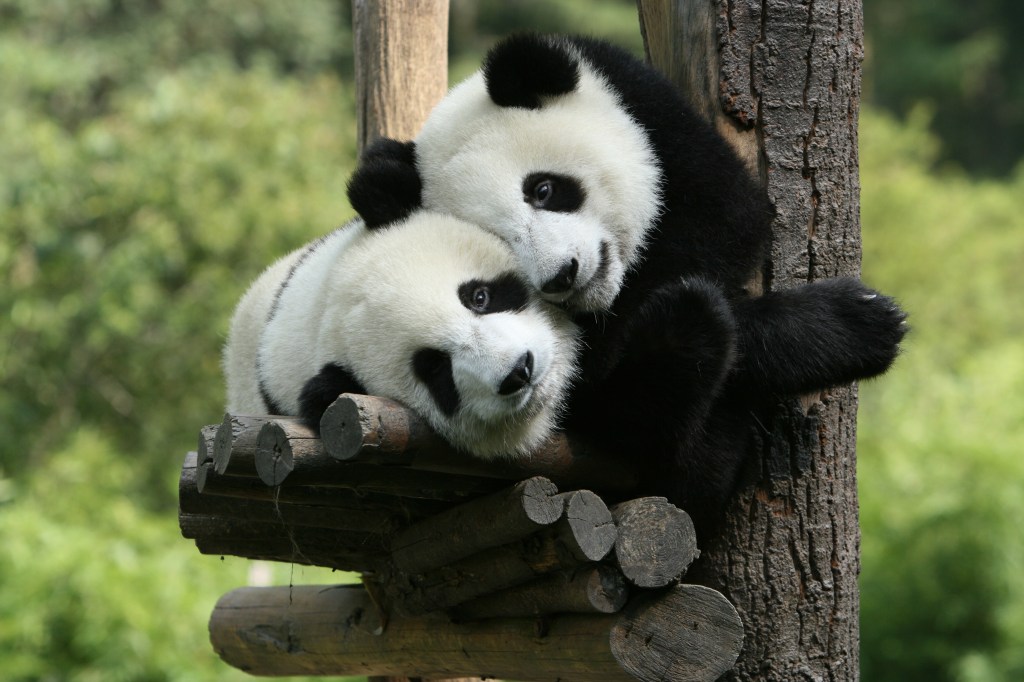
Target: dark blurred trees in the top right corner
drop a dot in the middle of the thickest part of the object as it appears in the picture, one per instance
(964, 61)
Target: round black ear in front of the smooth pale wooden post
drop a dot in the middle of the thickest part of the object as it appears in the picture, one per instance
(387, 187)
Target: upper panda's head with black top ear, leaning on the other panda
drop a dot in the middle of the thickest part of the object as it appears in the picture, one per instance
(538, 149)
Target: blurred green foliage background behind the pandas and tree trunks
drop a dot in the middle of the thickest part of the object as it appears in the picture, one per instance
(155, 157)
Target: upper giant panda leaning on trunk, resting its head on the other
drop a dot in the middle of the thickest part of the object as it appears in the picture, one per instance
(628, 209)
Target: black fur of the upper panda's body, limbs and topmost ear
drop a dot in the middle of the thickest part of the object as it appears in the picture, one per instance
(685, 350)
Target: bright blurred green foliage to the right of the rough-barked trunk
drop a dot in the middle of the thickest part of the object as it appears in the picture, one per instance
(942, 437)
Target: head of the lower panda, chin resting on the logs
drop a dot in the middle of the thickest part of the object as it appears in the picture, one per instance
(433, 313)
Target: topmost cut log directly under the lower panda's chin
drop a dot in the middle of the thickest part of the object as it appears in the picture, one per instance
(366, 429)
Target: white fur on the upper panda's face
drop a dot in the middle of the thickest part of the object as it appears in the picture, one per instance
(474, 156)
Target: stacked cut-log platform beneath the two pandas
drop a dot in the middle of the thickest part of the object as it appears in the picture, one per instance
(434, 531)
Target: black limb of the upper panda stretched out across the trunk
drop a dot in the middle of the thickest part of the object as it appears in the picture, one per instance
(816, 336)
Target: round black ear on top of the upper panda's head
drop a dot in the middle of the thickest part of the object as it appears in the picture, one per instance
(524, 68)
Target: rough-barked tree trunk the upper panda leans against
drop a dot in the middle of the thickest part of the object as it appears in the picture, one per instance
(783, 81)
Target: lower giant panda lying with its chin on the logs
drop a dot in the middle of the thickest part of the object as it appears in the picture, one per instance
(428, 311)
